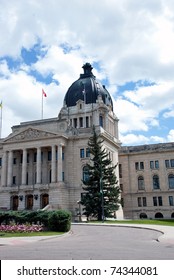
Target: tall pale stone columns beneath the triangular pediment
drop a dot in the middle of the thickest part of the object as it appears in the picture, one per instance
(7, 165)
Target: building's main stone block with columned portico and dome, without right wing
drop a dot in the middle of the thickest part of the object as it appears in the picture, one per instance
(42, 162)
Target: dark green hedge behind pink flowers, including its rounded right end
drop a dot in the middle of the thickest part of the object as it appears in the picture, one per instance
(55, 220)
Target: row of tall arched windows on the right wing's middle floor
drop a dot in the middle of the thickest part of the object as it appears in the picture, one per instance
(155, 182)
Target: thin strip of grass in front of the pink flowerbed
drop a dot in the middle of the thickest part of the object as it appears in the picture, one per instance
(26, 234)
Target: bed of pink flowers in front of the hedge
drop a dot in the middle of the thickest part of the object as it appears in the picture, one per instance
(20, 228)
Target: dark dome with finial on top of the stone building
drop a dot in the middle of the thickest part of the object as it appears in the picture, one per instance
(87, 88)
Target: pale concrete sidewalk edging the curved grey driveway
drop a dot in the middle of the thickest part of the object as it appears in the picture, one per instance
(167, 234)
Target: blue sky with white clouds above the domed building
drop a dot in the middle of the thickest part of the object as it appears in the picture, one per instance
(130, 44)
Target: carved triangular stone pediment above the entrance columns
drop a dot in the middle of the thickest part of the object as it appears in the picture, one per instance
(29, 134)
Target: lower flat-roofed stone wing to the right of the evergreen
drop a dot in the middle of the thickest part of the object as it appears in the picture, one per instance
(147, 180)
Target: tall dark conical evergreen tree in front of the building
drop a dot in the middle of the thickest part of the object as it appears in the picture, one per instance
(101, 197)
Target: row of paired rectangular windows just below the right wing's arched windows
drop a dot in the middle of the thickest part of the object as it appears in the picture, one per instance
(156, 200)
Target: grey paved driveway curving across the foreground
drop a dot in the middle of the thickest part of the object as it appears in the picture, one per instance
(91, 242)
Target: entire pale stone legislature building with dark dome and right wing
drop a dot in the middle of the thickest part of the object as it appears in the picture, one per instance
(43, 162)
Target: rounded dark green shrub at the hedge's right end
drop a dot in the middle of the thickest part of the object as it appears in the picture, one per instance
(59, 220)
